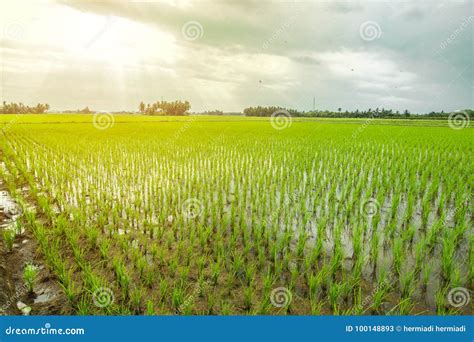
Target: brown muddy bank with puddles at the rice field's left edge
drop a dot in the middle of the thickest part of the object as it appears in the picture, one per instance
(47, 297)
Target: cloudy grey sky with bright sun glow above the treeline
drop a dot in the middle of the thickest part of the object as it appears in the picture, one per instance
(228, 55)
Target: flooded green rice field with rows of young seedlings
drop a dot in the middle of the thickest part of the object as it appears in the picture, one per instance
(230, 215)
